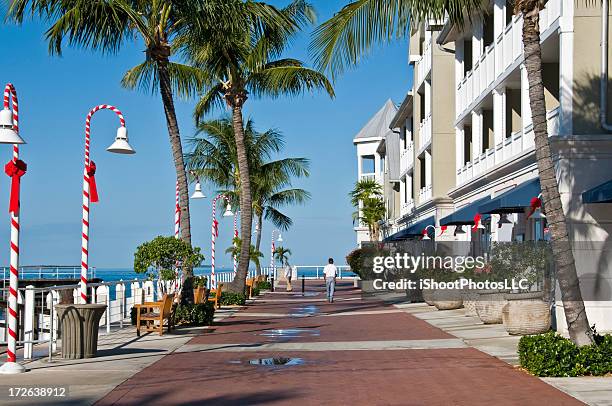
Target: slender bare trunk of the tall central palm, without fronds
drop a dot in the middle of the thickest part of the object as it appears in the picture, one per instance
(246, 209)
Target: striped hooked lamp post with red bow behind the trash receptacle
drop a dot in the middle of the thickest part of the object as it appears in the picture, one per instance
(90, 192)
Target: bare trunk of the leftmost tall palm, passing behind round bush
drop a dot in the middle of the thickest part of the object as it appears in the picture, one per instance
(165, 88)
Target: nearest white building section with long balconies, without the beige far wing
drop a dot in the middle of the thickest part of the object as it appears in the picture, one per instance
(496, 170)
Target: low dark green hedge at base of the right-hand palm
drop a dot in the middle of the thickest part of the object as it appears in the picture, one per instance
(553, 355)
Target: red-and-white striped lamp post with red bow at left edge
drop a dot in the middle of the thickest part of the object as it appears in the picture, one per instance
(15, 168)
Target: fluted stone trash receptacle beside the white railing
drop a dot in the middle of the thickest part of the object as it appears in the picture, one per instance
(79, 329)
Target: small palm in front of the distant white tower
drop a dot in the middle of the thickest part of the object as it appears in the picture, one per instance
(366, 197)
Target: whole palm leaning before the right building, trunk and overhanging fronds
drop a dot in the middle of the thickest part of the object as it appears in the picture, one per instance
(341, 41)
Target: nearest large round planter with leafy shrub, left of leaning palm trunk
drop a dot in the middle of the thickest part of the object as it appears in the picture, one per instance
(528, 310)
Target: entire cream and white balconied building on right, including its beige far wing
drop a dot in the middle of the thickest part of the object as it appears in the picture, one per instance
(467, 144)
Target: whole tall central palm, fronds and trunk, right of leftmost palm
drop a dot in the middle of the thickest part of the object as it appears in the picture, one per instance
(245, 62)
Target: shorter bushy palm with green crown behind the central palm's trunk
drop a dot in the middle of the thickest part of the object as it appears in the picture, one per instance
(214, 158)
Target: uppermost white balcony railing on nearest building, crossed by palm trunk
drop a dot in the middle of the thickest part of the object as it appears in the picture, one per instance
(499, 57)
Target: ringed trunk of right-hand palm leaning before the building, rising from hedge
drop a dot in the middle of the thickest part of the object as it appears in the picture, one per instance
(573, 305)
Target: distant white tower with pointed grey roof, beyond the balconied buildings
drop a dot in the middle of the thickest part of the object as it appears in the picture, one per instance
(371, 162)
